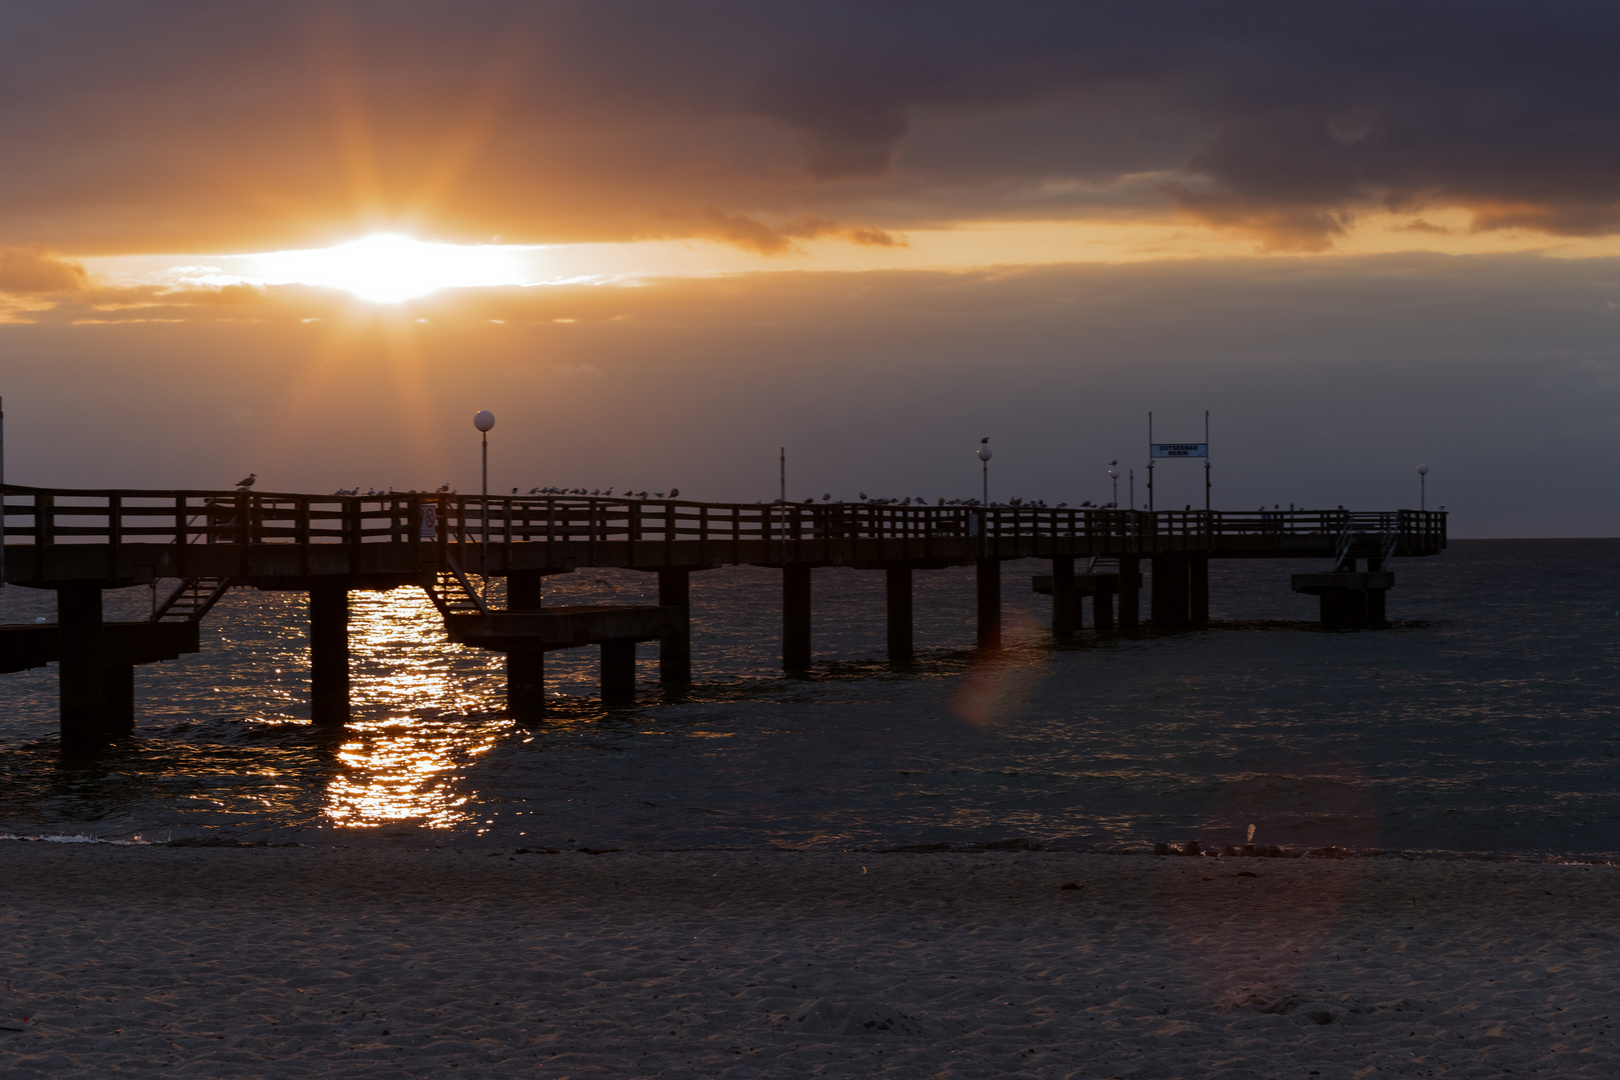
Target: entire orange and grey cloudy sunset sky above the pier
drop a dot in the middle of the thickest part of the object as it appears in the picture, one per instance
(660, 240)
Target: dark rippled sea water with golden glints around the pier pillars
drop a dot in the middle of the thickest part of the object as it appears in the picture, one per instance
(1485, 721)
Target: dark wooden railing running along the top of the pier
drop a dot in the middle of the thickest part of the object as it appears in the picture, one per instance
(229, 517)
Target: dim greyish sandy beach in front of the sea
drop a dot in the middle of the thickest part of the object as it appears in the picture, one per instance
(349, 963)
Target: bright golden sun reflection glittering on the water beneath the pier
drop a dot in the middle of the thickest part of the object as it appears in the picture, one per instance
(420, 721)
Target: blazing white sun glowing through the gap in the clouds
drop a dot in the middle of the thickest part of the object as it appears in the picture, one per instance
(390, 268)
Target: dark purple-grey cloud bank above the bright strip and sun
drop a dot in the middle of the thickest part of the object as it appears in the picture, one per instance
(202, 127)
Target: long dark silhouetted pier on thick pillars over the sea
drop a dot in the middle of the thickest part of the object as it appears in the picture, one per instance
(82, 543)
